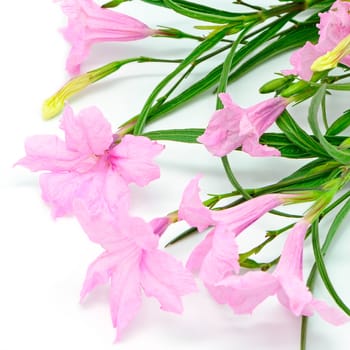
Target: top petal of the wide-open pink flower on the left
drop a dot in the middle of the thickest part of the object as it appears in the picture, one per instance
(88, 133)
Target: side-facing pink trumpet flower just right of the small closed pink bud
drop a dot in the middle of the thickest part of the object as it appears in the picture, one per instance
(217, 255)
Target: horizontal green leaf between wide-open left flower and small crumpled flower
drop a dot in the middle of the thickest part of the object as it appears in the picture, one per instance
(179, 135)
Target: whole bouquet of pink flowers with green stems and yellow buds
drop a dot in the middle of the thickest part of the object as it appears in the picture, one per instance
(89, 173)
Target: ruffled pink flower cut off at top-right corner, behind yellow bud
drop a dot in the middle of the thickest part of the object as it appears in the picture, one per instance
(333, 27)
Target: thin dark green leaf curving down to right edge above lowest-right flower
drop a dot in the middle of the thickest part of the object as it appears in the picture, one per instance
(321, 266)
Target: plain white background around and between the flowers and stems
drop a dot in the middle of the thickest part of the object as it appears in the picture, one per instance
(43, 261)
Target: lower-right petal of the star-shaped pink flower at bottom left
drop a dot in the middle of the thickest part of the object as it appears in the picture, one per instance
(166, 279)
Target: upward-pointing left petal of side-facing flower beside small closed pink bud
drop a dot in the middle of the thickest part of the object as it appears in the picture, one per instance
(191, 208)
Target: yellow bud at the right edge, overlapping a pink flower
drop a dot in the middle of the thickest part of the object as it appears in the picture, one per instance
(331, 58)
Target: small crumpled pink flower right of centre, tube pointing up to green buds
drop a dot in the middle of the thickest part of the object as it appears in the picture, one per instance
(233, 126)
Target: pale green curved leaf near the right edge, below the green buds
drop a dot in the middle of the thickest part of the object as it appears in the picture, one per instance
(337, 154)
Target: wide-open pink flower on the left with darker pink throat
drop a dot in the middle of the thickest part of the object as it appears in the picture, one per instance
(88, 165)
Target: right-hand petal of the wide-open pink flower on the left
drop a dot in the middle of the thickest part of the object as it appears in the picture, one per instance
(133, 159)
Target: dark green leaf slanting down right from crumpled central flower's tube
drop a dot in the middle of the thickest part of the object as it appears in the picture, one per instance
(298, 136)
